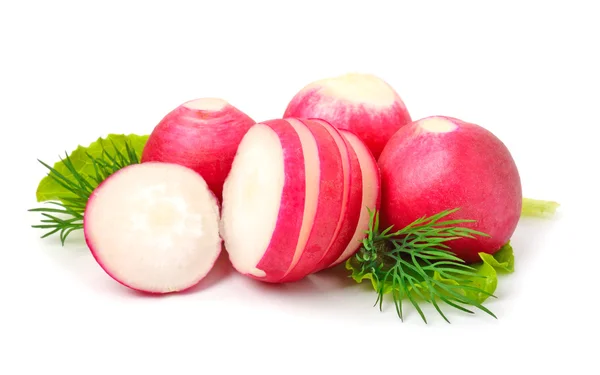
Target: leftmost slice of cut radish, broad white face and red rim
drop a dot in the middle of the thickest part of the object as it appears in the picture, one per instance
(264, 199)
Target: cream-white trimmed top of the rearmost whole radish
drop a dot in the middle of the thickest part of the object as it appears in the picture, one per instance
(359, 88)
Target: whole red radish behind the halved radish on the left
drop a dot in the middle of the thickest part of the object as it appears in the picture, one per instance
(201, 134)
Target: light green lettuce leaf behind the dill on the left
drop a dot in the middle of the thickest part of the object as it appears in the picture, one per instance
(82, 161)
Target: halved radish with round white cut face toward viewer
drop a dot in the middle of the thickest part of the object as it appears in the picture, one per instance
(154, 227)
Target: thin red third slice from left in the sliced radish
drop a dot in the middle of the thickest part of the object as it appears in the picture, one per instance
(351, 207)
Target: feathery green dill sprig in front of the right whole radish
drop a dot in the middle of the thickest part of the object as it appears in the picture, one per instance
(416, 263)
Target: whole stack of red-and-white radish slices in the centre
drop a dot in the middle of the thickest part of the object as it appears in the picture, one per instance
(296, 200)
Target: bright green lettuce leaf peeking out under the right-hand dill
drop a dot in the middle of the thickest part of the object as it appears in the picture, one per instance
(502, 262)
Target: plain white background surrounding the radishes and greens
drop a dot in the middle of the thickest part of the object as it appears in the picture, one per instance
(74, 71)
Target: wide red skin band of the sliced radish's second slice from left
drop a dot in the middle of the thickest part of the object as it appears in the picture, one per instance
(329, 201)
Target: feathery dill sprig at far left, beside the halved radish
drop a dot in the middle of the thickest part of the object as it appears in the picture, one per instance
(78, 188)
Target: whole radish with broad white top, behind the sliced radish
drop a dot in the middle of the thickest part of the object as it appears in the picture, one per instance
(362, 103)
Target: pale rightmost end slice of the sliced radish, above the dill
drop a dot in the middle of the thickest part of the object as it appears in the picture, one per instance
(371, 199)
